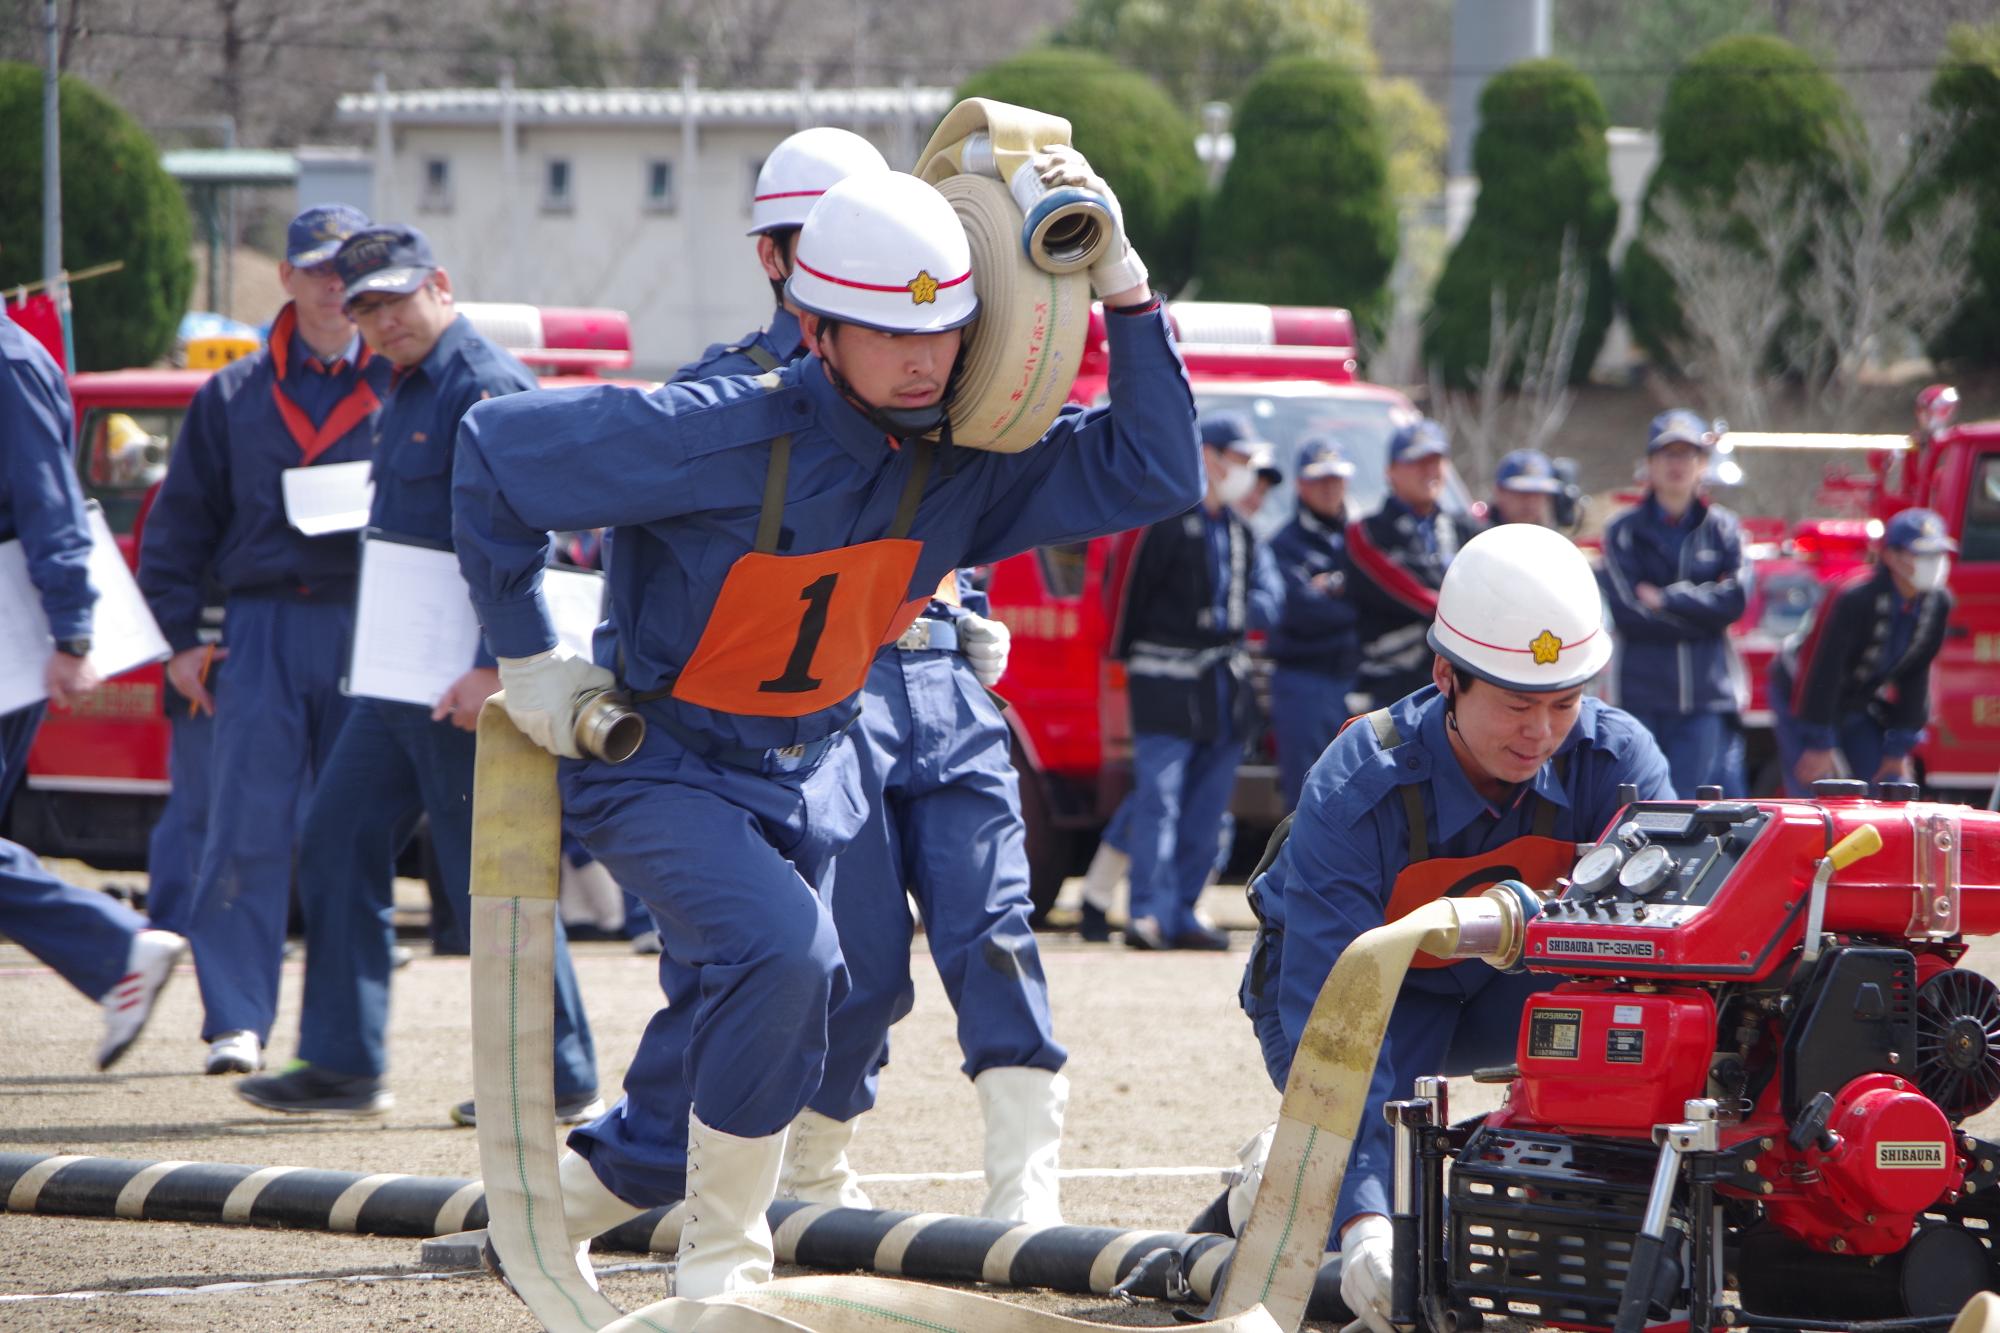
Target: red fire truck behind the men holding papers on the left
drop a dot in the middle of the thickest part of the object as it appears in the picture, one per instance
(97, 774)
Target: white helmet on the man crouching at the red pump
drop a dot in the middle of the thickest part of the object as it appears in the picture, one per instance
(1521, 609)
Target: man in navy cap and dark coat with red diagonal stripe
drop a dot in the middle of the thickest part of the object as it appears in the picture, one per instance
(1395, 565)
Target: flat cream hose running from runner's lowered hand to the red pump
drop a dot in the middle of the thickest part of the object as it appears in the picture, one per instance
(515, 846)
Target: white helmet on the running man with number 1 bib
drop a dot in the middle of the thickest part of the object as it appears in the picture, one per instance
(887, 253)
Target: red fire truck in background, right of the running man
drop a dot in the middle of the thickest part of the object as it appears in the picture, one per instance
(1291, 371)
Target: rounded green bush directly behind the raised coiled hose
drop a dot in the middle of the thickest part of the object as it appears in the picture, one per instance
(1133, 135)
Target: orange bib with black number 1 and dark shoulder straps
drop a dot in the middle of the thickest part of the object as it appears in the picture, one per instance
(793, 635)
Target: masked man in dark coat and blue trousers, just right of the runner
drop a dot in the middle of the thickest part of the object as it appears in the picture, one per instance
(1199, 583)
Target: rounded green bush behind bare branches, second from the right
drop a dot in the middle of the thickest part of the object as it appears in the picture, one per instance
(1741, 101)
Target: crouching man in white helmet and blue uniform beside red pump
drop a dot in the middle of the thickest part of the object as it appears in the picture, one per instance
(1493, 772)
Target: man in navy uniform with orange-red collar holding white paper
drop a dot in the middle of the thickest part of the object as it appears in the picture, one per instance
(307, 399)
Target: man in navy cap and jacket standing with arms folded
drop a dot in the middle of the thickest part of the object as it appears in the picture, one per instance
(1673, 581)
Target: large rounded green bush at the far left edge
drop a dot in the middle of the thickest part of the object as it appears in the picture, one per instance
(117, 205)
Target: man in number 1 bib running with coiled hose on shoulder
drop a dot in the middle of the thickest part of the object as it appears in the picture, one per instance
(771, 535)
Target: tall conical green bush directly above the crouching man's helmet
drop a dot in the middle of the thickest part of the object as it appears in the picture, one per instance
(1545, 173)
